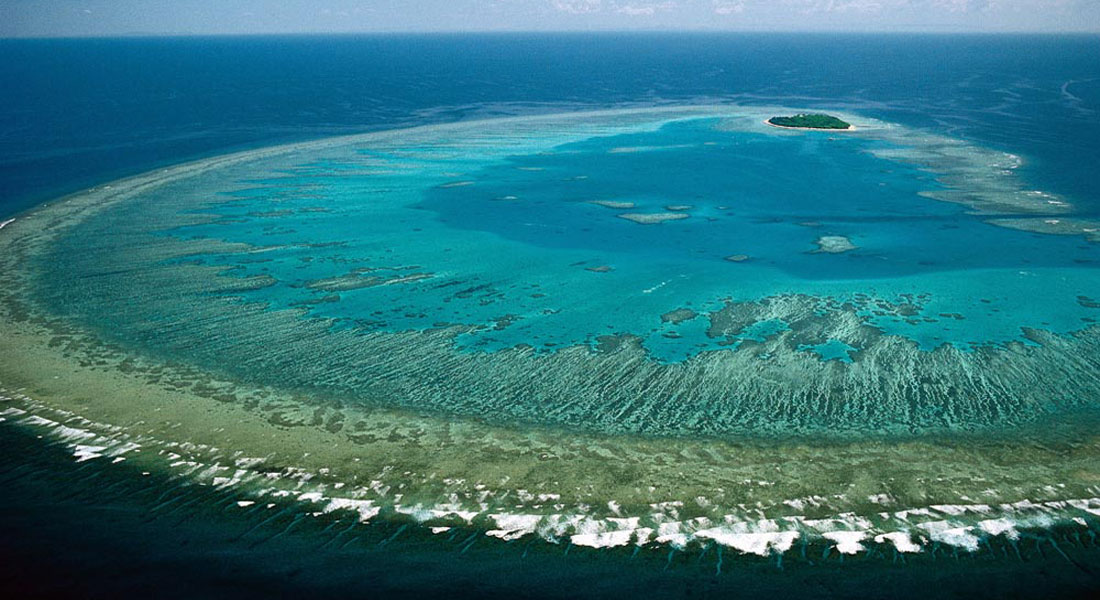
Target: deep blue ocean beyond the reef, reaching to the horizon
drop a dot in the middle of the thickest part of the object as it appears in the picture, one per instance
(81, 112)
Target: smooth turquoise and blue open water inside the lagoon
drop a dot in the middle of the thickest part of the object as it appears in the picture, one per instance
(509, 239)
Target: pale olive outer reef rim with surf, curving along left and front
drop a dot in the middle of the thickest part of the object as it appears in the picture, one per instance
(754, 498)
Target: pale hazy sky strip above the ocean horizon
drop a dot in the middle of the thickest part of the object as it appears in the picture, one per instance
(82, 18)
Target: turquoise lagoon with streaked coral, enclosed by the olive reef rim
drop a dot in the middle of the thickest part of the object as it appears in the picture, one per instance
(454, 263)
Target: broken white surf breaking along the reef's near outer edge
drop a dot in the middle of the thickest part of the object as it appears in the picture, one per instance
(950, 525)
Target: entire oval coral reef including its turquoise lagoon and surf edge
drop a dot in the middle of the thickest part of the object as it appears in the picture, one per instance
(540, 369)
